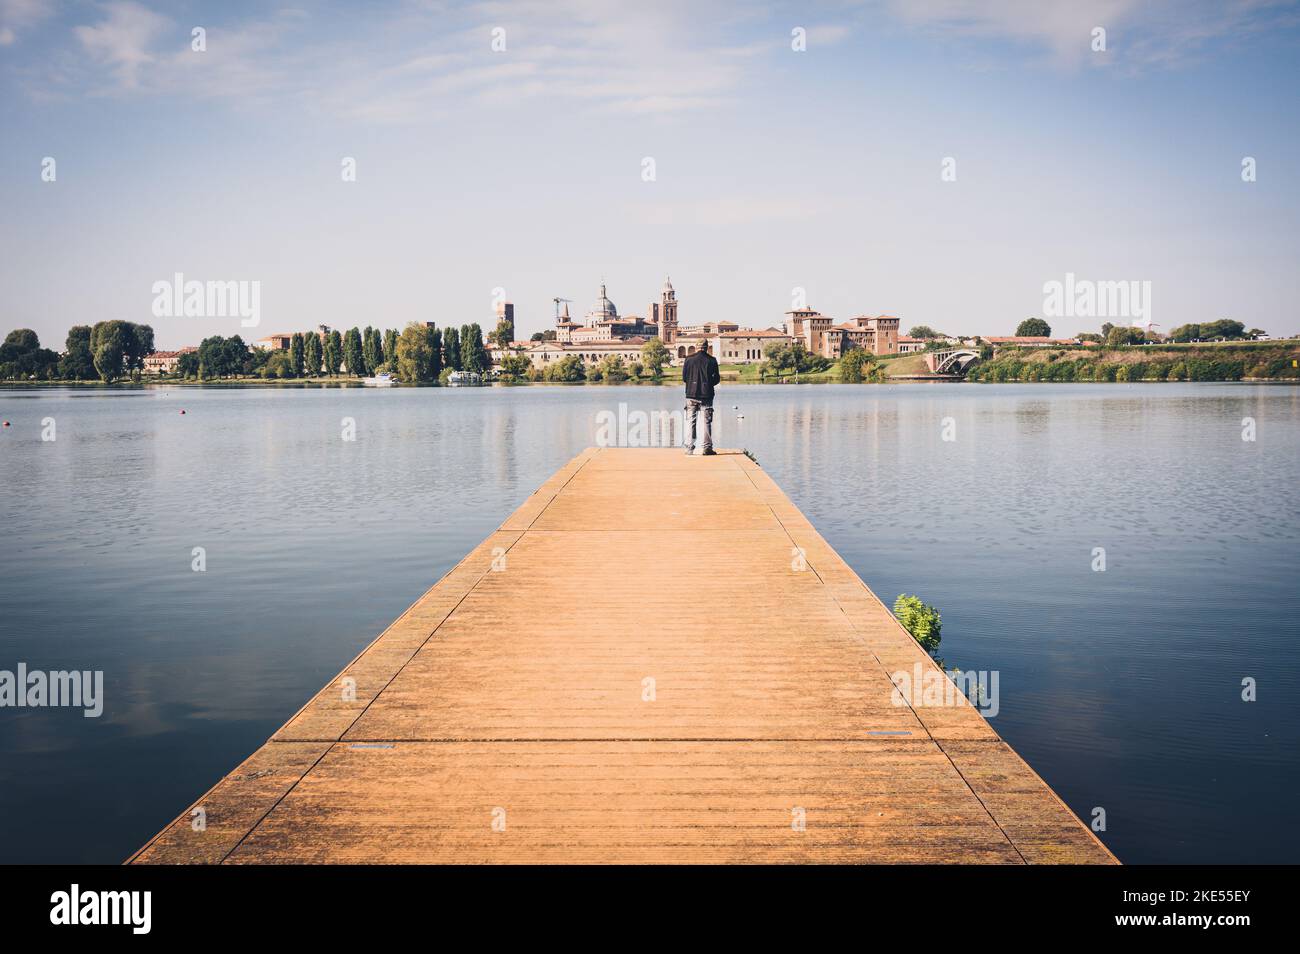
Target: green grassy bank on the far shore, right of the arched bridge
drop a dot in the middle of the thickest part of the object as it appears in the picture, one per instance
(1247, 362)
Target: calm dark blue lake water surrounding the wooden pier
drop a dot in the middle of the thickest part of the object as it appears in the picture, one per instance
(1121, 688)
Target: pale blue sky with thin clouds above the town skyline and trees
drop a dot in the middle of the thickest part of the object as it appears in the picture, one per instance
(799, 153)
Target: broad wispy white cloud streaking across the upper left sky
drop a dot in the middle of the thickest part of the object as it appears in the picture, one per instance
(649, 60)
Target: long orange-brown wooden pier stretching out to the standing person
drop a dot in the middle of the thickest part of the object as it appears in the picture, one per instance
(655, 660)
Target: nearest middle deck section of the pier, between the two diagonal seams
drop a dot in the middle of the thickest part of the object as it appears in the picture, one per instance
(881, 801)
